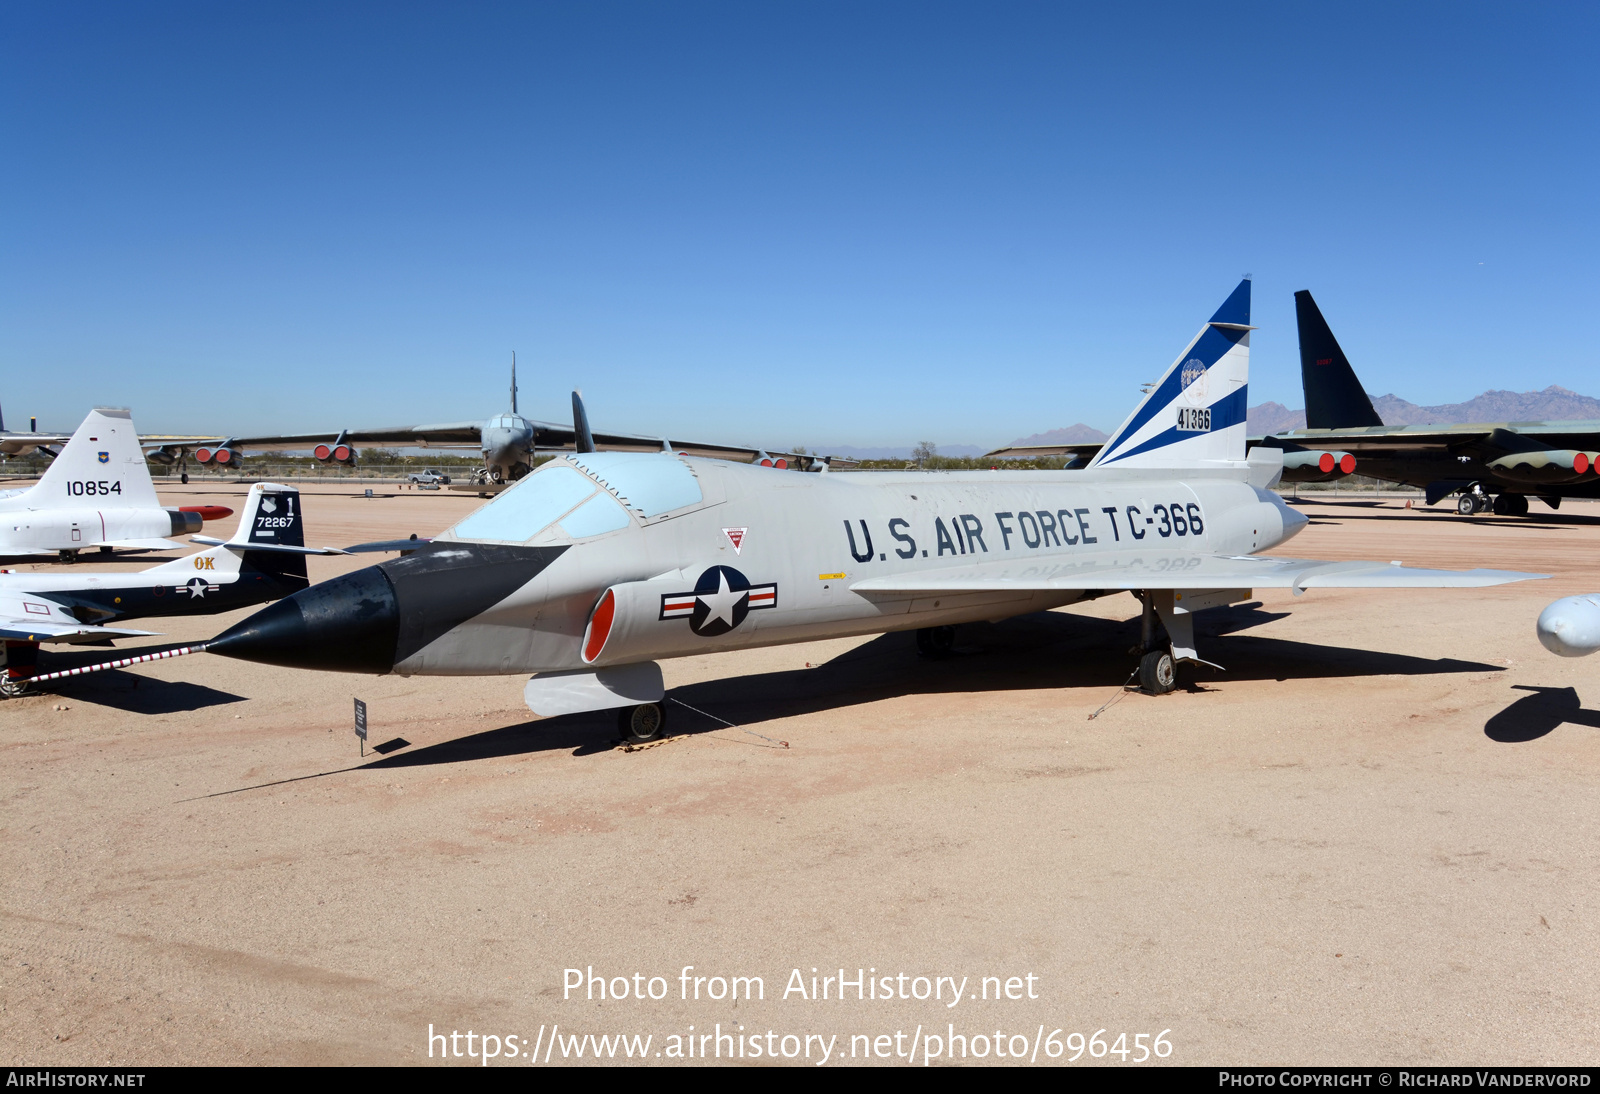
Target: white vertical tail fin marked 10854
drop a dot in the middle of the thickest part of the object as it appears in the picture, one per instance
(102, 468)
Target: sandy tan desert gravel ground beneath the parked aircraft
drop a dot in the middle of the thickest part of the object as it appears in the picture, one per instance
(1374, 839)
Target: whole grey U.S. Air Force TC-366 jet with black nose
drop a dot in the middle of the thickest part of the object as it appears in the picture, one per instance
(601, 564)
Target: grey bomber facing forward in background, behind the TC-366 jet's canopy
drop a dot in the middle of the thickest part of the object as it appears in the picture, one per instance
(510, 444)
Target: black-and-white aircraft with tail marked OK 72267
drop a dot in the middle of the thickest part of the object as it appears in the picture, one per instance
(263, 561)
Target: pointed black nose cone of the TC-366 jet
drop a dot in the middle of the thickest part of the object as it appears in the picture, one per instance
(348, 625)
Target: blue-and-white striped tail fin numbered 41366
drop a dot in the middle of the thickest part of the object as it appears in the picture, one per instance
(1196, 413)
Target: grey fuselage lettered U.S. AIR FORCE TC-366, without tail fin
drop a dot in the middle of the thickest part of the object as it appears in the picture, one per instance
(758, 559)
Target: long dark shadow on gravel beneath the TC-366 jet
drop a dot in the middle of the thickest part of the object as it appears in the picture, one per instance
(1041, 652)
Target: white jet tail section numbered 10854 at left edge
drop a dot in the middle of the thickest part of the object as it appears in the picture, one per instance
(97, 493)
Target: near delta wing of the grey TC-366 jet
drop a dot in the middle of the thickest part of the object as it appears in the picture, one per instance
(1185, 572)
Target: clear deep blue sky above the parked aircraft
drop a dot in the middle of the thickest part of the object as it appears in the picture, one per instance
(818, 223)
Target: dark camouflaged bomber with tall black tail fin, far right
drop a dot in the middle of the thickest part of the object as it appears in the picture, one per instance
(1492, 466)
